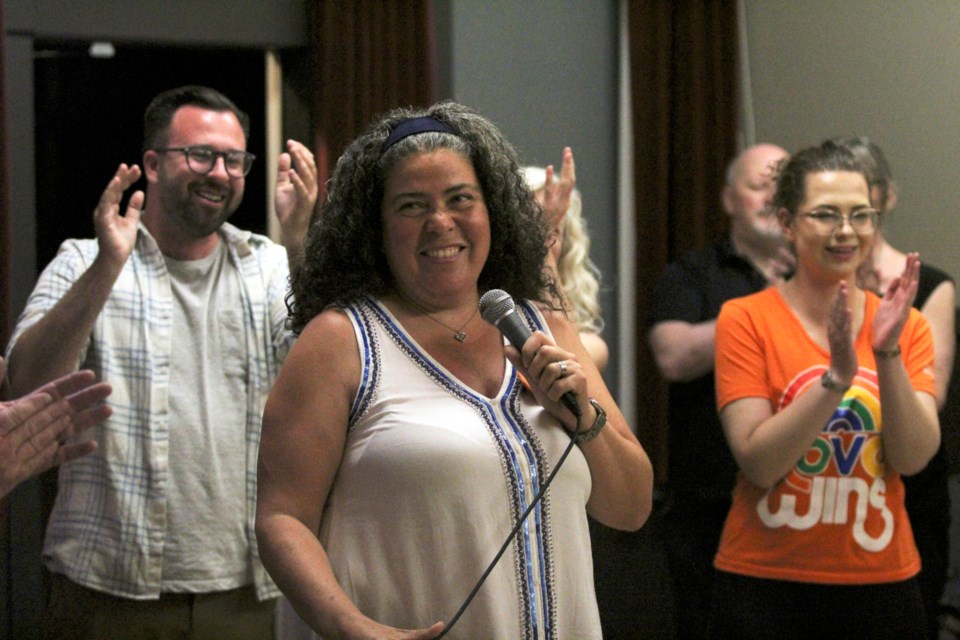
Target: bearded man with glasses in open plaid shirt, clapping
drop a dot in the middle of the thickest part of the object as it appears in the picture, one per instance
(183, 315)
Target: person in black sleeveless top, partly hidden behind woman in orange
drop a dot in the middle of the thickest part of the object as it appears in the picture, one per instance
(928, 497)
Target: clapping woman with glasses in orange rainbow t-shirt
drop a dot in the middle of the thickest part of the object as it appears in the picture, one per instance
(818, 541)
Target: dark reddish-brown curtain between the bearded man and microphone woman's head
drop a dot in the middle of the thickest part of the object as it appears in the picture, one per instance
(368, 57)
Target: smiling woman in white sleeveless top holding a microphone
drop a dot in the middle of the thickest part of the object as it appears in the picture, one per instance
(403, 441)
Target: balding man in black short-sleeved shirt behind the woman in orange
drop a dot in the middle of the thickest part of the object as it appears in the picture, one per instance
(687, 302)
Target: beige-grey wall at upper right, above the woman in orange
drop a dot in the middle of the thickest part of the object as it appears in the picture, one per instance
(882, 68)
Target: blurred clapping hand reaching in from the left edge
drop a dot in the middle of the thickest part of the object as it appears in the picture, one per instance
(35, 429)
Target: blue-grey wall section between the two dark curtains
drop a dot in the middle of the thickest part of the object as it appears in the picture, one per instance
(545, 71)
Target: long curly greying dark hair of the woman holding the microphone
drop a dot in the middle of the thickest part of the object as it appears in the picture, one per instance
(343, 258)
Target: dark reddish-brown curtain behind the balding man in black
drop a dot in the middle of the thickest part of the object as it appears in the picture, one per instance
(683, 73)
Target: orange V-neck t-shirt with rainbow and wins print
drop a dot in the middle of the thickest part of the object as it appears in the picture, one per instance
(838, 516)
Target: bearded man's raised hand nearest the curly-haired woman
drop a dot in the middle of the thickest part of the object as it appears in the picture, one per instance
(296, 193)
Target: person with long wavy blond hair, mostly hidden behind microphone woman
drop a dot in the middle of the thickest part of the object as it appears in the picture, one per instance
(569, 251)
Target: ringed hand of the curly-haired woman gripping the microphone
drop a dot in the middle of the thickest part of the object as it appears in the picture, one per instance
(551, 371)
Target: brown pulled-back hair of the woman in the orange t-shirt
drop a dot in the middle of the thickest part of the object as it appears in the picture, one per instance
(793, 171)
